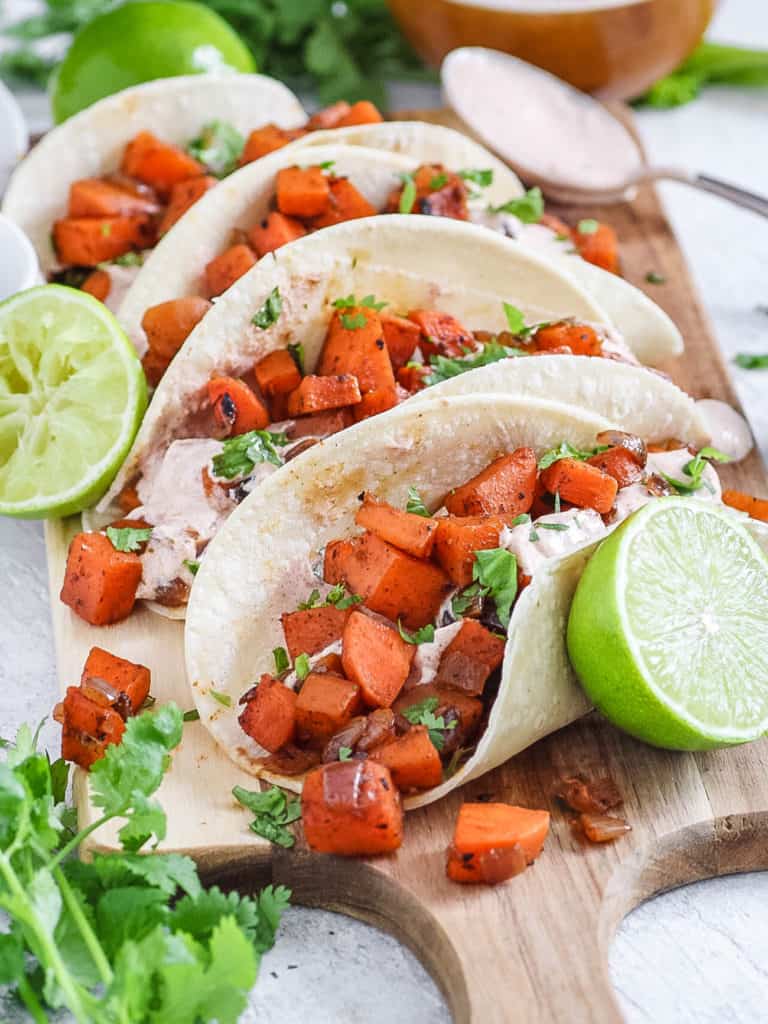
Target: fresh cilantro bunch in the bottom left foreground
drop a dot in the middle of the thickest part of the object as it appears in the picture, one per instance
(122, 937)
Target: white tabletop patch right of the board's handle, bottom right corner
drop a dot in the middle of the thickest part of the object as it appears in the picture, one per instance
(696, 955)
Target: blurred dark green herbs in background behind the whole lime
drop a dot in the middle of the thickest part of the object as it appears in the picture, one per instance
(343, 51)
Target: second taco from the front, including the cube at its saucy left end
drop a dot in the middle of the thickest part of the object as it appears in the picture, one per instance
(335, 329)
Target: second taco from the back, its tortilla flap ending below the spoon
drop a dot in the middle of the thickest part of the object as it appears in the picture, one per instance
(411, 169)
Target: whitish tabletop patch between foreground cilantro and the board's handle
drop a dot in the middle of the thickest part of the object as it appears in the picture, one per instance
(328, 968)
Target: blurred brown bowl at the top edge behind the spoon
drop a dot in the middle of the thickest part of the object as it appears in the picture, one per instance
(615, 49)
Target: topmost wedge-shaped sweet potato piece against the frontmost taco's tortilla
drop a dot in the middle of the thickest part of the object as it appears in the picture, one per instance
(506, 487)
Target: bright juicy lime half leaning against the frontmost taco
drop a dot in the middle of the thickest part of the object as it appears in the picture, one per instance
(669, 627)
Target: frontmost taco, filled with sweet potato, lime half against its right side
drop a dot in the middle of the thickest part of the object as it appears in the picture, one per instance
(401, 593)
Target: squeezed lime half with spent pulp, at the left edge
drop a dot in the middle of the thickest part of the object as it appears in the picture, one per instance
(72, 397)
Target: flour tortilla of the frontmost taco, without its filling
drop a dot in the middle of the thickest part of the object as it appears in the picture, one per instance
(261, 565)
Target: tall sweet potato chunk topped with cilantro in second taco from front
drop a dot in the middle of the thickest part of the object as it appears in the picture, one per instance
(356, 346)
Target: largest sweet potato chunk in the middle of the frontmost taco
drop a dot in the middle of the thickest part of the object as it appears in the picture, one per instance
(391, 582)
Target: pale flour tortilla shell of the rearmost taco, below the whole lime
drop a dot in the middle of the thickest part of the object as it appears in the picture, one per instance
(92, 144)
